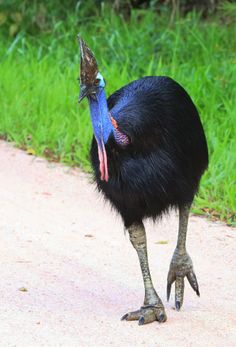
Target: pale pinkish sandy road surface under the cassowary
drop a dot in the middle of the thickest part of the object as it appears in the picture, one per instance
(68, 250)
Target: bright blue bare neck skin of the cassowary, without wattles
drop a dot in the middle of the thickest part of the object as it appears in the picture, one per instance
(101, 121)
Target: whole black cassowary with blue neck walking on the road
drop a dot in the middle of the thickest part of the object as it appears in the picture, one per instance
(148, 154)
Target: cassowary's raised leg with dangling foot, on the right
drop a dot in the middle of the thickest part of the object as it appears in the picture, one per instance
(181, 264)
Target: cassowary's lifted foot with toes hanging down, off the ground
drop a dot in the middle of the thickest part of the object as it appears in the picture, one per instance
(181, 265)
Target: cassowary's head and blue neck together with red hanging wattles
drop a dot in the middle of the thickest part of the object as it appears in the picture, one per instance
(92, 86)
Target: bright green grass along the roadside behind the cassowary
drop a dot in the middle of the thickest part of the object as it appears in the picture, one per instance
(39, 90)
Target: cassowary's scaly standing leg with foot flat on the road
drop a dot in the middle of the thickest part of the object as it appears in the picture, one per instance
(152, 308)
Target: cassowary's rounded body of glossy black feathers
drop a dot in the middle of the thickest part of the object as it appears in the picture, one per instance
(163, 162)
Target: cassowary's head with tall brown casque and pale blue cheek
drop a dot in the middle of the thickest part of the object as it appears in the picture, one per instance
(91, 81)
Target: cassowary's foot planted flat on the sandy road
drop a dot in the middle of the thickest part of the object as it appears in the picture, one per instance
(147, 314)
